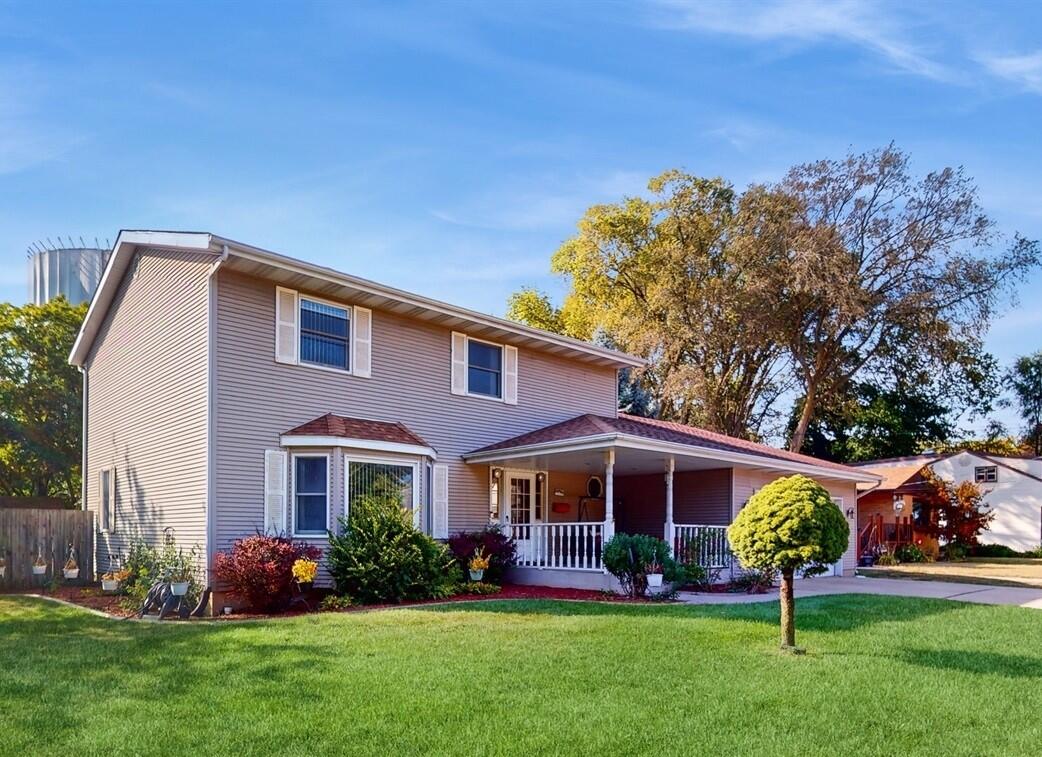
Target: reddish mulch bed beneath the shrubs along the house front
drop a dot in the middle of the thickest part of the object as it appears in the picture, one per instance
(93, 598)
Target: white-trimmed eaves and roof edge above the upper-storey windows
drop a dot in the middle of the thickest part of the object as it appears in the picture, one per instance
(336, 285)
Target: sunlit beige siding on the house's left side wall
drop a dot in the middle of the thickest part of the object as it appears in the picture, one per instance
(147, 404)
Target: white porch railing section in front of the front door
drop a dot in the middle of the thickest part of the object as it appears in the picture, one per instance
(570, 547)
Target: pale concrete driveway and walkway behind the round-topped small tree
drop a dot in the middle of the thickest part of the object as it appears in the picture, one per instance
(890, 588)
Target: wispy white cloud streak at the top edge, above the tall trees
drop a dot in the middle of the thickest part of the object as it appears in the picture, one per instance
(863, 23)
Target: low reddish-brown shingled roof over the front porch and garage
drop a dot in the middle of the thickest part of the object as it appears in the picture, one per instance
(636, 428)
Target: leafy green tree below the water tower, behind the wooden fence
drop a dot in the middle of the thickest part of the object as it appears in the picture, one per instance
(41, 402)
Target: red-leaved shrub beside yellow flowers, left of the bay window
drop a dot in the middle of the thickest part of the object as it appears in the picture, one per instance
(260, 570)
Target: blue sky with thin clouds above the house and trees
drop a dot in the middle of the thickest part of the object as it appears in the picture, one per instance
(450, 149)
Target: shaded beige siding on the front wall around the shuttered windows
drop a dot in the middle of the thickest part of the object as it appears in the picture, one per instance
(259, 399)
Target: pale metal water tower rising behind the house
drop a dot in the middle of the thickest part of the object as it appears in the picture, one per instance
(66, 268)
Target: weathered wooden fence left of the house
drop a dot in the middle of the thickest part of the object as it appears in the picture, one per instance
(27, 535)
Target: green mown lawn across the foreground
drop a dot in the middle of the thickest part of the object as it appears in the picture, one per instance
(883, 676)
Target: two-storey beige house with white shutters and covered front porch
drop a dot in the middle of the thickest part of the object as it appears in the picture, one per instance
(230, 390)
